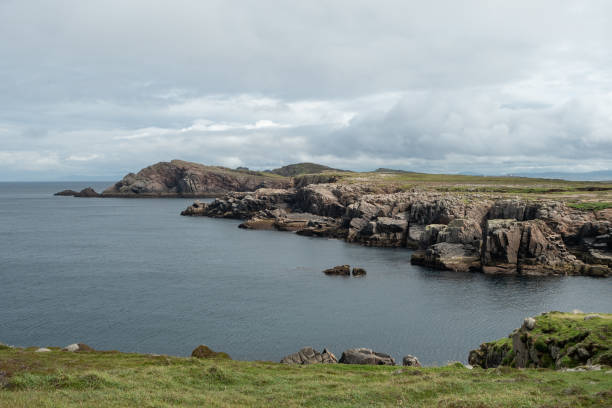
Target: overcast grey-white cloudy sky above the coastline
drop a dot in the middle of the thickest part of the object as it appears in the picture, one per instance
(95, 89)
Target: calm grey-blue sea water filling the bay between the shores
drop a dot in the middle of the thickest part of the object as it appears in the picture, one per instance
(133, 275)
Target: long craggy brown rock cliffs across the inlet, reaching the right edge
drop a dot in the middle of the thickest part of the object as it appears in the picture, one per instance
(470, 232)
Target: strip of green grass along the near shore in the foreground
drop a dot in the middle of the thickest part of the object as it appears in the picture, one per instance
(112, 379)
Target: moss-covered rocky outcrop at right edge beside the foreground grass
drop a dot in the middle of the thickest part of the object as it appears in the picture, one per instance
(557, 340)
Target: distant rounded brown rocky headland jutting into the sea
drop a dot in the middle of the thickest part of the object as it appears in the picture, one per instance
(185, 179)
